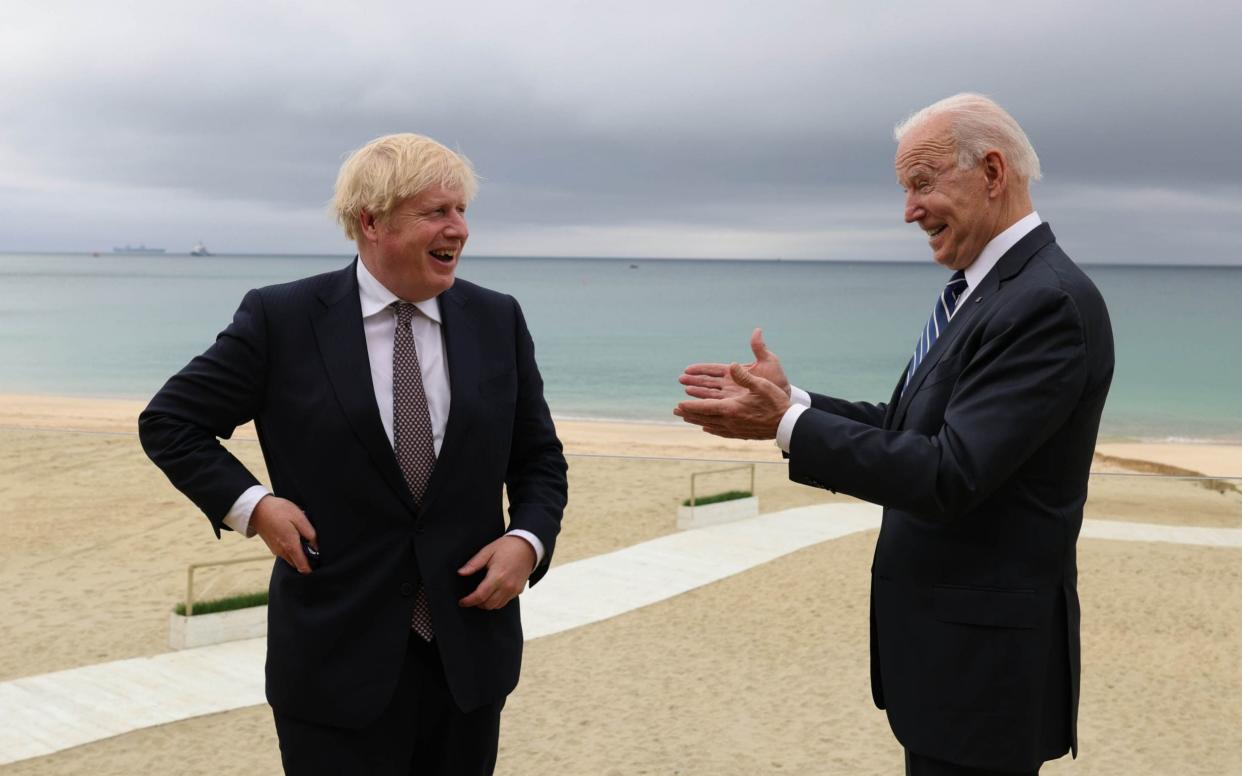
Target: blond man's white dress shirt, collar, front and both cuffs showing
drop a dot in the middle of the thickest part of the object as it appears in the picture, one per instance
(379, 326)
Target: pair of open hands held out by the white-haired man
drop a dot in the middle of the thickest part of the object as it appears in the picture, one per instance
(735, 400)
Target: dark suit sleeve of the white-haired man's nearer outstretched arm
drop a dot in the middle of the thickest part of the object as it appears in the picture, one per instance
(1015, 390)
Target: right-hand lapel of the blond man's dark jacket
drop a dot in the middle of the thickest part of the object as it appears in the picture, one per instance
(463, 354)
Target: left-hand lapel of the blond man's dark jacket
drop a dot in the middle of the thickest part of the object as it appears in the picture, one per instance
(338, 330)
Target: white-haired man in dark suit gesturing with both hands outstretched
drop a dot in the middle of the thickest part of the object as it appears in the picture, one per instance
(981, 458)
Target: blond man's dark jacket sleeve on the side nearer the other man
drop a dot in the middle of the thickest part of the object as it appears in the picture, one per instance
(536, 476)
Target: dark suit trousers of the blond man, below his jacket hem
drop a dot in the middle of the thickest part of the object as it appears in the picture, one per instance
(422, 733)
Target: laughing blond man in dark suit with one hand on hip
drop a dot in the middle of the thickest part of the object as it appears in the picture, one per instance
(394, 404)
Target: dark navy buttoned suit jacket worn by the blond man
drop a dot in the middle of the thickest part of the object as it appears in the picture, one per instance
(295, 362)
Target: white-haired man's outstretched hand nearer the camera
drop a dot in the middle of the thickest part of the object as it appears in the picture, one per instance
(751, 410)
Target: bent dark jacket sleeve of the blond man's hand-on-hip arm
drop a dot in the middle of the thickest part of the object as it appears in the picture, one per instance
(182, 428)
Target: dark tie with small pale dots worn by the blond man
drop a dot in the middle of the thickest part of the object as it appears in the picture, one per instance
(412, 434)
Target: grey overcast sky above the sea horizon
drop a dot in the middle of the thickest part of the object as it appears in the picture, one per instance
(673, 130)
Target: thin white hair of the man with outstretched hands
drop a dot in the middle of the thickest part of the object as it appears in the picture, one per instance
(979, 126)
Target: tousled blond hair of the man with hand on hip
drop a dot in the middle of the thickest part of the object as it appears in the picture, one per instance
(388, 171)
